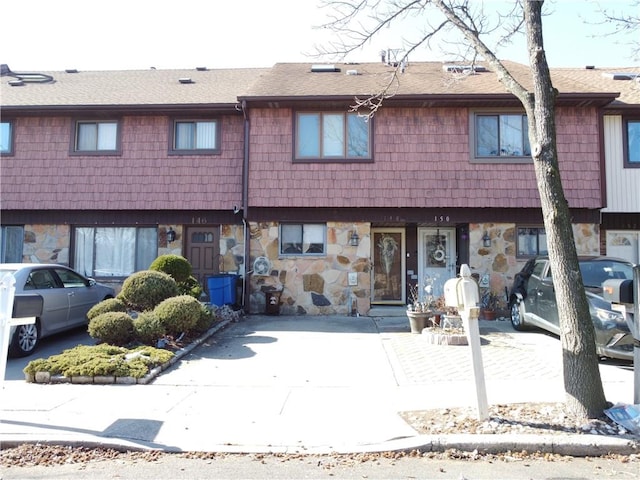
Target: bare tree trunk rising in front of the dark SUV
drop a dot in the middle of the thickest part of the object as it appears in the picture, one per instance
(583, 385)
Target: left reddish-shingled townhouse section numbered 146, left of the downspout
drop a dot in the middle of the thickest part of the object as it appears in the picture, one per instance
(106, 170)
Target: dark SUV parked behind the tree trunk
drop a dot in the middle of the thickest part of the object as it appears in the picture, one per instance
(532, 301)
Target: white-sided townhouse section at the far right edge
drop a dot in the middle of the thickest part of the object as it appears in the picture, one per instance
(620, 225)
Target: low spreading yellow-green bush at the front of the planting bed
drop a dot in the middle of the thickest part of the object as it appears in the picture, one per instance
(101, 360)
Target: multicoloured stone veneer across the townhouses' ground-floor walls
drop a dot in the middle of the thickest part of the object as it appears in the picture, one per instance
(318, 285)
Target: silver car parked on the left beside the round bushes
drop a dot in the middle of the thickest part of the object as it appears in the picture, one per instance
(66, 295)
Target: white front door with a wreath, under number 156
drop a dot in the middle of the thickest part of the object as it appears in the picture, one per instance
(436, 259)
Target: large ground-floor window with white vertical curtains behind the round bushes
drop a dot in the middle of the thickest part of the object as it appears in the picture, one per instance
(114, 251)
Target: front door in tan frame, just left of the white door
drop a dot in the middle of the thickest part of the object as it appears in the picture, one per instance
(388, 284)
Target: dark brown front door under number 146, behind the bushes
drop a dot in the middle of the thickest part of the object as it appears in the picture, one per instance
(203, 250)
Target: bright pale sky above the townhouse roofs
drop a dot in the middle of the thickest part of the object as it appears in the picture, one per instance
(40, 35)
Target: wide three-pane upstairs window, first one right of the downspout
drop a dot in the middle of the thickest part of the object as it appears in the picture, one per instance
(332, 136)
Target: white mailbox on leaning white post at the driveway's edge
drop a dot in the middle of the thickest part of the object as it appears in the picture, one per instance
(463, 294)
